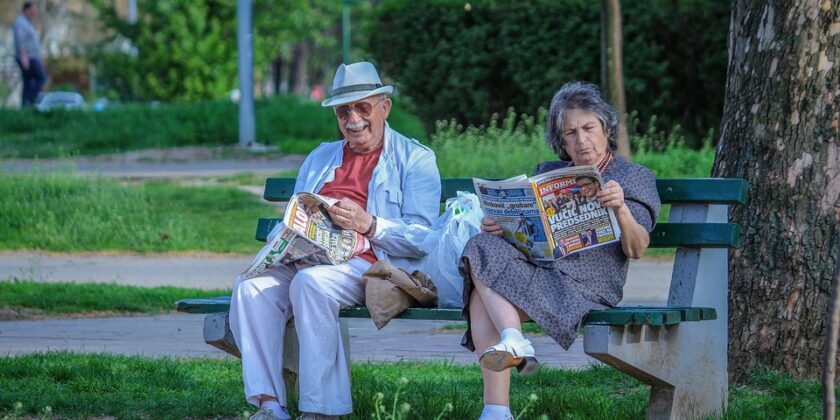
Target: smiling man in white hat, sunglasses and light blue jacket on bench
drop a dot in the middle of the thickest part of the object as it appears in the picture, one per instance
(385, 183)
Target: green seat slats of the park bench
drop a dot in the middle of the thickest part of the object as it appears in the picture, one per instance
(616, 316)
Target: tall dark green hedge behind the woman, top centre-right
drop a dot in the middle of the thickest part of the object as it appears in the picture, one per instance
(469, 63)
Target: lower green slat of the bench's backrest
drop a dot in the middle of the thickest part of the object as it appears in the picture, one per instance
(664, 235)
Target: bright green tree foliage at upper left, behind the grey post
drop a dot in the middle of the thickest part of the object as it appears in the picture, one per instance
(186, 50)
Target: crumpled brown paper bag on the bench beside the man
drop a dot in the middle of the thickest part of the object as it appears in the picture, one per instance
(390, 290)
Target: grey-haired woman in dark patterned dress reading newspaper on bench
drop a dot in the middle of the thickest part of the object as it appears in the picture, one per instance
(502, 287)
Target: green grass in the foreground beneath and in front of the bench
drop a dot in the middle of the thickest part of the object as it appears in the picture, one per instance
(101, 385)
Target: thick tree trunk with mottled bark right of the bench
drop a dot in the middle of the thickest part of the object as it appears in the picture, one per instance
(780, 132)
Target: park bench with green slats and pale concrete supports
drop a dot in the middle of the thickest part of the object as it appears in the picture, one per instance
(678, 349)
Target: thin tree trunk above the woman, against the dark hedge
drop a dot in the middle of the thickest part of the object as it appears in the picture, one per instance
(611, 69)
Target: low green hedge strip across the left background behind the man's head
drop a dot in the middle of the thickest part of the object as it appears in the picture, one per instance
(283, 120)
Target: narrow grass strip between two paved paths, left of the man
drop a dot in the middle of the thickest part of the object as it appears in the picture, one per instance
(55, 299)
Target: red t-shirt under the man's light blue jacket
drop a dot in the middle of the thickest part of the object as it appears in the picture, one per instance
(351, 182)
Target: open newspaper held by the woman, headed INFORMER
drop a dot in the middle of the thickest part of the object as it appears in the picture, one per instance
(551, 215)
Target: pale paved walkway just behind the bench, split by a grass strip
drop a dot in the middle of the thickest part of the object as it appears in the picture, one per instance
(180, 334)
